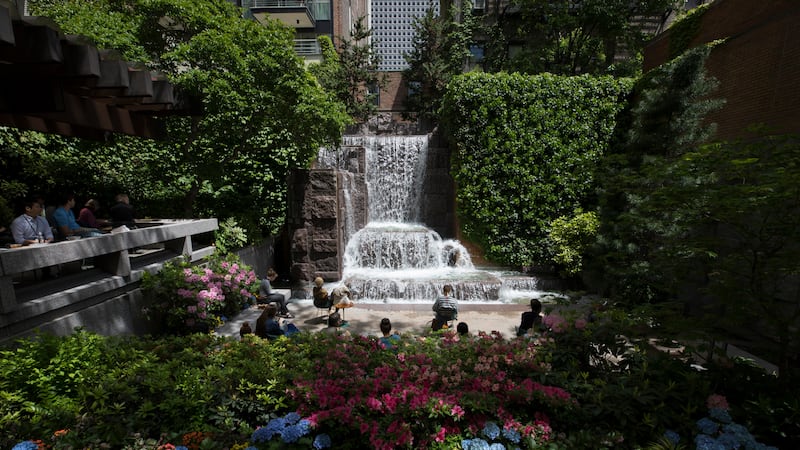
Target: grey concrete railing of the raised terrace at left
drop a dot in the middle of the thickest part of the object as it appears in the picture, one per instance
(112, 256)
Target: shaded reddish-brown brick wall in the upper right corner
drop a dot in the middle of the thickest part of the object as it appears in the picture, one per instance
(758, 67)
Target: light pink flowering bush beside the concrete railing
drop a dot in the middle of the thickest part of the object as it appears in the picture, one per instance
(188, 297)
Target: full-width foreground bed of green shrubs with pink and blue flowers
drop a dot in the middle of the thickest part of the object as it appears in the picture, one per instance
(588, 382)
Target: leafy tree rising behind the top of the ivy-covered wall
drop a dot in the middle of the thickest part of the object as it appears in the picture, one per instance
(581, 36)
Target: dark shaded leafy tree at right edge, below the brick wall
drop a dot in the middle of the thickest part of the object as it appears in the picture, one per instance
(745, 226)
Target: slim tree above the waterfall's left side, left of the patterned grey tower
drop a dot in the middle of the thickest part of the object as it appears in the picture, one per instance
(351, 75)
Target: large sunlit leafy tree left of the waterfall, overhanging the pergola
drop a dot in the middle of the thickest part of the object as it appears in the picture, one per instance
(262, 115)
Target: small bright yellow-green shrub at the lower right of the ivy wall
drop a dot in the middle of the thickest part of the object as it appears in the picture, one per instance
(571, 238)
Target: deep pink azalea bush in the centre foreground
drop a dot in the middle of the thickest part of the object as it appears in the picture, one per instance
(432, 393)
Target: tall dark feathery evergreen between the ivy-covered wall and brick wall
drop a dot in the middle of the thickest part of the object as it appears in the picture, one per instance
(644, 200)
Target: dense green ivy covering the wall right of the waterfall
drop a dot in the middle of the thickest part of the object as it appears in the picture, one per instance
(525, 147)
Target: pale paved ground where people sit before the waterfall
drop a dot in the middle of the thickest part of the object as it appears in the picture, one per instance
(415, 318)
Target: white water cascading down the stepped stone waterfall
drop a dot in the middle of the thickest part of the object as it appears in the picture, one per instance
(395, 257)
